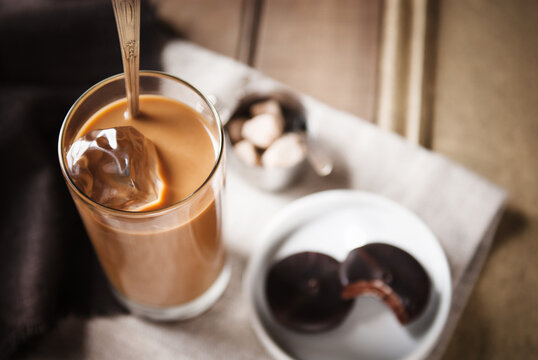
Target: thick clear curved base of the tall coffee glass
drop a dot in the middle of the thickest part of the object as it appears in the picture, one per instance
(185, 311)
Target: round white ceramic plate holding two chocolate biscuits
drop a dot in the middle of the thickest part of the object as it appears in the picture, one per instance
(335, 222)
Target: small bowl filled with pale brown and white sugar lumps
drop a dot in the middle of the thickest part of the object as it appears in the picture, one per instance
(271, 150)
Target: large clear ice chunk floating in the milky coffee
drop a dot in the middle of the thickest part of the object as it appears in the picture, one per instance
(117, 167)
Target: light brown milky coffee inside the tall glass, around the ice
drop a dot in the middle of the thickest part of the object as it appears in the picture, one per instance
(179, 255)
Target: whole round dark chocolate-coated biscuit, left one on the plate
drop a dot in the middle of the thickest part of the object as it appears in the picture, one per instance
(303, 292)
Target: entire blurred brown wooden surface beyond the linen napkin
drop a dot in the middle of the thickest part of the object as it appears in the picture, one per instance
(480, 94)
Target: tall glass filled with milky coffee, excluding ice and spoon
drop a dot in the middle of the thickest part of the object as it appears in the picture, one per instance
(165, 260)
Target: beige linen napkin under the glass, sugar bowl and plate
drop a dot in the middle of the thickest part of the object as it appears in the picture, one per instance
(461, 208)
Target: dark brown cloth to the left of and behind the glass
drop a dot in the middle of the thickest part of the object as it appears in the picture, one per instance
(52, 51)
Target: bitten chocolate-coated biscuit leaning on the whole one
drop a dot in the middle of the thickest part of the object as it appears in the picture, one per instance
(390, 274)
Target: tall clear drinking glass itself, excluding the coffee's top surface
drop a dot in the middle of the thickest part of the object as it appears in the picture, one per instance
(168, 263)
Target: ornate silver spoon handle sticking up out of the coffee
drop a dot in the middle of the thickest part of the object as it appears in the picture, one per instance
(127, 13)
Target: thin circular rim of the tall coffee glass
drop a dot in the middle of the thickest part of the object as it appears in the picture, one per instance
(143, 213)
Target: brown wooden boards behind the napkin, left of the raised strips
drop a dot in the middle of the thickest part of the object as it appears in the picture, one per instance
(326, 49)
